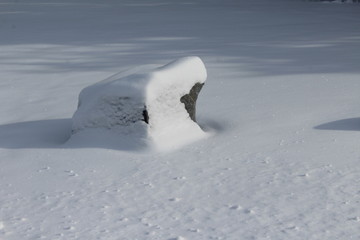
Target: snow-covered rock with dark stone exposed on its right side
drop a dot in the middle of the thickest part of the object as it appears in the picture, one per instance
(157, 105)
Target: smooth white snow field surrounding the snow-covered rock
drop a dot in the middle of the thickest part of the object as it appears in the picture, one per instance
(281, 101)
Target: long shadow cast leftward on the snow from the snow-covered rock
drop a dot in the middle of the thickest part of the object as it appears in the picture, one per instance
(55, 133)
